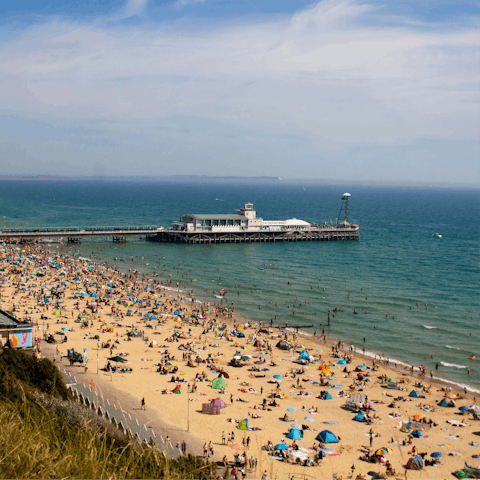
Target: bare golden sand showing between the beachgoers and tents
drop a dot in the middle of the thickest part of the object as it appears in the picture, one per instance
(172, 414)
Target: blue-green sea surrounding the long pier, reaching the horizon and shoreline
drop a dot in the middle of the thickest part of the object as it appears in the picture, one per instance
(417, 295)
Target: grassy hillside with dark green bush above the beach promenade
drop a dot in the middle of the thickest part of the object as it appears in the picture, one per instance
(46, 435)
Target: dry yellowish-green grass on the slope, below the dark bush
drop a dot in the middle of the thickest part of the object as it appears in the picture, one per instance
(37, 444)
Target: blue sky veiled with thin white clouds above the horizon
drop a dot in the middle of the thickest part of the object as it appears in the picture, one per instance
(338, 89)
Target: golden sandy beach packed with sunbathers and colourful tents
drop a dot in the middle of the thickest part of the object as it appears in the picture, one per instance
(193, 342)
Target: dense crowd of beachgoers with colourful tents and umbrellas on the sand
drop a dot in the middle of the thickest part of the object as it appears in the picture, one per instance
(181, 334)
